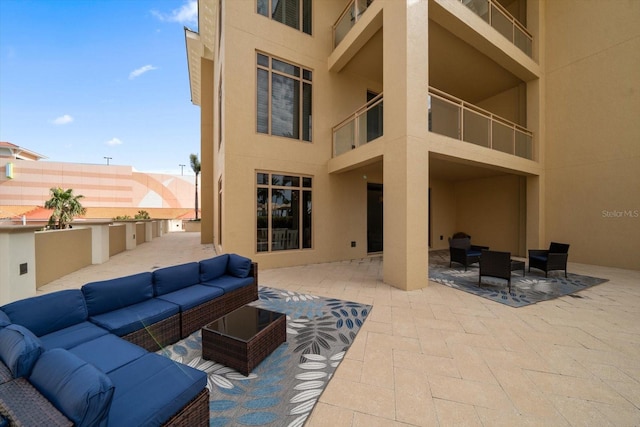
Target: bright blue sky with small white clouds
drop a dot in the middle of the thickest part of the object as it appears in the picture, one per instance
(81, 80)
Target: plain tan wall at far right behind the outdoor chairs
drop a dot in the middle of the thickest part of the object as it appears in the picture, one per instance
(593, 132)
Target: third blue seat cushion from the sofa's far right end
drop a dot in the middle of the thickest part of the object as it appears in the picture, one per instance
(134, 317)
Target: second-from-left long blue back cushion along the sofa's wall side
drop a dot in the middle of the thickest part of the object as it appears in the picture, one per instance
(114, 294)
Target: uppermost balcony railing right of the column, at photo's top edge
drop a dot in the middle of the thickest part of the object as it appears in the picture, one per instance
(502, 21)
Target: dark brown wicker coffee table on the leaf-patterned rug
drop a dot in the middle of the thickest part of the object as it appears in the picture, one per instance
(244, 337)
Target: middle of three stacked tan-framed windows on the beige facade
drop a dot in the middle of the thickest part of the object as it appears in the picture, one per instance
(283, 99)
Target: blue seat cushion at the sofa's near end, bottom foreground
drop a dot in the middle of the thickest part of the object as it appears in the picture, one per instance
(151, 389)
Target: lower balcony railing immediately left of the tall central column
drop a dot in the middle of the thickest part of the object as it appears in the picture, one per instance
(361, 127)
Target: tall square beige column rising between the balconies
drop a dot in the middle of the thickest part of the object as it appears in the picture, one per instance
(406, 156)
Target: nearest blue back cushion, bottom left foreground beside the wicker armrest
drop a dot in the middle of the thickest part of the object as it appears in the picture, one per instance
(78, 389)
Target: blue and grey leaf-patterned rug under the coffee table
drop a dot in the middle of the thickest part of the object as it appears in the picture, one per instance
(285, 387)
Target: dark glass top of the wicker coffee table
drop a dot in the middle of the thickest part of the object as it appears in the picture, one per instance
(243, 323)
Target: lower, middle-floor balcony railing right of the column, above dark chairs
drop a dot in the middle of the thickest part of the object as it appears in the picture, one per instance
(458, 119)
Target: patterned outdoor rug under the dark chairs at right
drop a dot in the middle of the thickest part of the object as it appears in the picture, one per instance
(530, 289)
